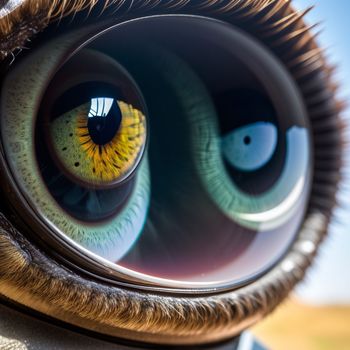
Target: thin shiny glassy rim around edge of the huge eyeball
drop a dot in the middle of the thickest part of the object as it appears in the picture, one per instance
(82, 259)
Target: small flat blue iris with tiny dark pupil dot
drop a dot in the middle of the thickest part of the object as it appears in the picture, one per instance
(250, 147)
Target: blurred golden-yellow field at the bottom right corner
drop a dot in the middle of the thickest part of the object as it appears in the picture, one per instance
(305, 327)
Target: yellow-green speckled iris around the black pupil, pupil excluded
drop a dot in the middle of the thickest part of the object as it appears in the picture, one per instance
(93, 163)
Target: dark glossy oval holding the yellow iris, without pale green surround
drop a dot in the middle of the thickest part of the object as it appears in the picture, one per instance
(93, 122)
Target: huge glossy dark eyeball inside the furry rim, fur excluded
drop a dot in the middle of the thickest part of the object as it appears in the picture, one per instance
(186, 216)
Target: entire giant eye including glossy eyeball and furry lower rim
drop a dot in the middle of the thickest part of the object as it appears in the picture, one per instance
(169, 166)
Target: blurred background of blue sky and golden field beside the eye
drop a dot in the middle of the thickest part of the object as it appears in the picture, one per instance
(317, 317)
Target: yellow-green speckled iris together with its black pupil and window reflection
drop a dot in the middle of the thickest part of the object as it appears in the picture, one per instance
(99, 142)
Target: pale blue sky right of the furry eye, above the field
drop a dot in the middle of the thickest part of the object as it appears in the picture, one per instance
(329, 280)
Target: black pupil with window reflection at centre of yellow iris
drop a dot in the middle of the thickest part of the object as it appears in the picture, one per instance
(104, 124)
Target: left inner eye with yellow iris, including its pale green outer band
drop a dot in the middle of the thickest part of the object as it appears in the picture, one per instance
(78, 167)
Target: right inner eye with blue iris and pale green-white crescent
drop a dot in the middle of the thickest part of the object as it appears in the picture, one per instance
(258, 170)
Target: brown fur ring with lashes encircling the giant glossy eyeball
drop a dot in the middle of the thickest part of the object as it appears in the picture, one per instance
(28, 276)
